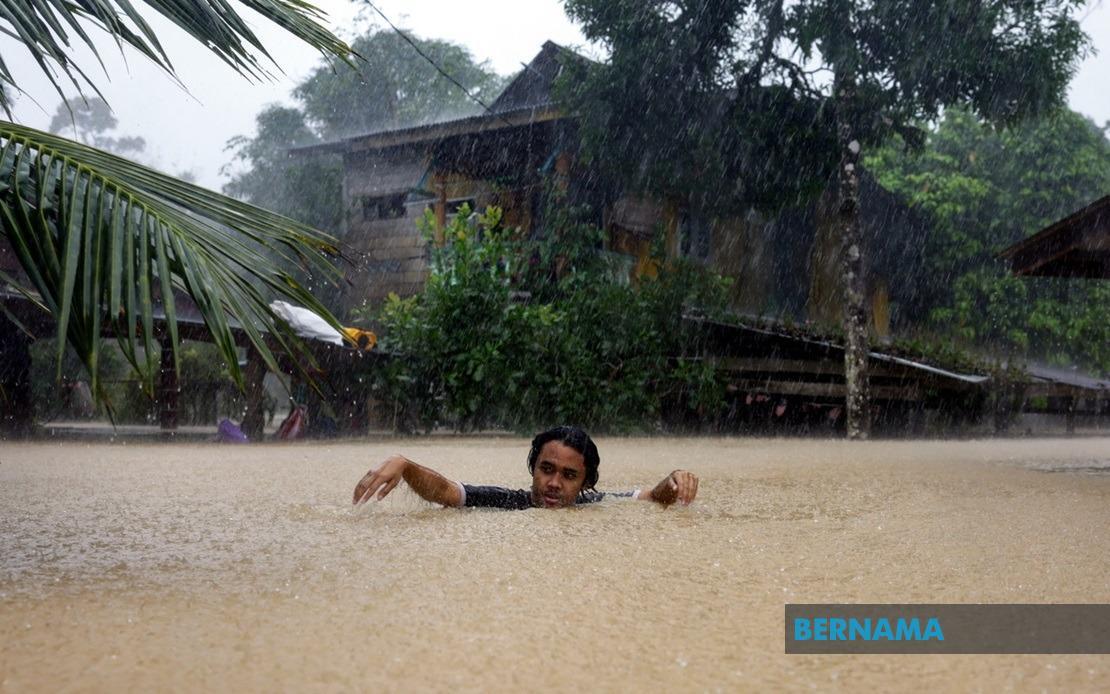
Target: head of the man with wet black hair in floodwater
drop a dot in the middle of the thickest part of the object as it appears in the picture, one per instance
(563, 462)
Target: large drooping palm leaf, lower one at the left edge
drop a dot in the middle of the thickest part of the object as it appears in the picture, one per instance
(105, 243)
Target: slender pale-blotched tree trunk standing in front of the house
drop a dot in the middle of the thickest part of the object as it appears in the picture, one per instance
(855, 316)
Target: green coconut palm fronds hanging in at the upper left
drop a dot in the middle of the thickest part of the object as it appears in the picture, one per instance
(106, 243)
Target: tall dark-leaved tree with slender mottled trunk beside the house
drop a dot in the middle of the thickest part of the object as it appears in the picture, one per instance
(761, 102)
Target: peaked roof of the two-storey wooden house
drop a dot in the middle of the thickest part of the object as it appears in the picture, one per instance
(527, 100)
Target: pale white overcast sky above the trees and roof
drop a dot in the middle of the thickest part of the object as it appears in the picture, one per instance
(188, 130)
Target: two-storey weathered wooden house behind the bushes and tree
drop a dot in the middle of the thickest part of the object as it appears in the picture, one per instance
(782, 267)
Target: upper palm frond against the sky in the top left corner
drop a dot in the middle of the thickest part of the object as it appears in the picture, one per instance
(48, 29)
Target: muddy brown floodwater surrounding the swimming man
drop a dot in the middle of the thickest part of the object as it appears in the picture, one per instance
(199, 567)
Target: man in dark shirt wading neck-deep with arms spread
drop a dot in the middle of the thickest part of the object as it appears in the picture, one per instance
(563, 462)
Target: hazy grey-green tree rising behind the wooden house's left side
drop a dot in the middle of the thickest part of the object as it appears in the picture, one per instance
(391, 87)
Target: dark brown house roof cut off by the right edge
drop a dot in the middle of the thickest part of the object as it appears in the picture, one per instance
(1075, 247)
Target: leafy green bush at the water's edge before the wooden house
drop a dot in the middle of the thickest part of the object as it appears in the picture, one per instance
(489, 345)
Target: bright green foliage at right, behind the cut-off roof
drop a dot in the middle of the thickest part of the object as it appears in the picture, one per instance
(986, 189)
